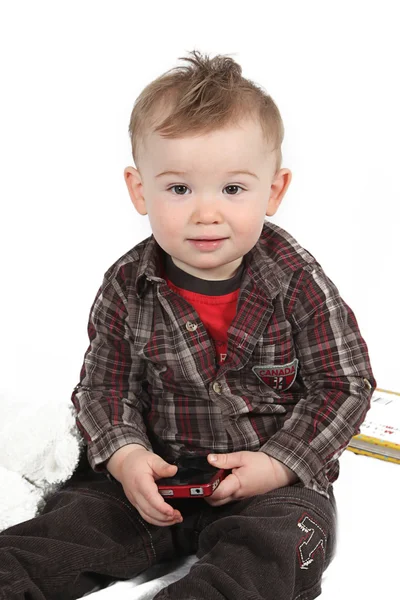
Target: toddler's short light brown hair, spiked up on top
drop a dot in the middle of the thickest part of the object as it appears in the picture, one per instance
(203, 96)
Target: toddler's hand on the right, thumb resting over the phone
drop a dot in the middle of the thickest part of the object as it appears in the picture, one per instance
(253, 473)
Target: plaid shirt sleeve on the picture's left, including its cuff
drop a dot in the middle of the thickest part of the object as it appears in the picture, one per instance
(107, 398)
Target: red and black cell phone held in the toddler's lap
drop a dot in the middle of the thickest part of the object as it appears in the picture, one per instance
(195, 478)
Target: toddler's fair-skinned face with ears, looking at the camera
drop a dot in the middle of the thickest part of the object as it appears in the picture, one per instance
(197, 187)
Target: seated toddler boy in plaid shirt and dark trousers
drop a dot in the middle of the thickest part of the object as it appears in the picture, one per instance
(217, 336)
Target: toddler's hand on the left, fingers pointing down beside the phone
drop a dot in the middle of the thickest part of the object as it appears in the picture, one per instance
(139, 471)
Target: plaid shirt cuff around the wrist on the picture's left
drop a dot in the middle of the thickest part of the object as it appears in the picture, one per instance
(108, 442)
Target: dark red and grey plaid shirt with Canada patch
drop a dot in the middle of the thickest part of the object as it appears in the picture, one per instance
(150, 375)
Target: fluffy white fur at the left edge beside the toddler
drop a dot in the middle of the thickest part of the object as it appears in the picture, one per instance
(39, 449)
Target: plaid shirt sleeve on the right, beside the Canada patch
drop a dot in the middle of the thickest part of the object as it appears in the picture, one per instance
(335, 368)
